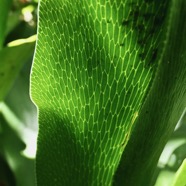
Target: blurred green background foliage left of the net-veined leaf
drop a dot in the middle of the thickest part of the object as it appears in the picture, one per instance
(18, 118)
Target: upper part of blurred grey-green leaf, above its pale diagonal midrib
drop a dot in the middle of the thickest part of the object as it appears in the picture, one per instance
(19, 93)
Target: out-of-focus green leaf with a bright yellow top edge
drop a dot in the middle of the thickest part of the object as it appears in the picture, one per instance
(12, 60)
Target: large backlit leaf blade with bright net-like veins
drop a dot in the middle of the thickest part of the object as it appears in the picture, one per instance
(94, 65)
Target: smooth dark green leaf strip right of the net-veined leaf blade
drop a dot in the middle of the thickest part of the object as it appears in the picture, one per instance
(162, 109)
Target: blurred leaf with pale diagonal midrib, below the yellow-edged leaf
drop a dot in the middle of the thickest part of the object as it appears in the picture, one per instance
(18, 125)
